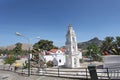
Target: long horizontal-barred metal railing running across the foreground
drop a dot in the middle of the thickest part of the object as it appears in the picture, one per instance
(78, 73)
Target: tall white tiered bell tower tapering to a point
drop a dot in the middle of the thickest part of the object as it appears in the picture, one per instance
(72, 53)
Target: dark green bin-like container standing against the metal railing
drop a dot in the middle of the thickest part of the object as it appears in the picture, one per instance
(92, 71)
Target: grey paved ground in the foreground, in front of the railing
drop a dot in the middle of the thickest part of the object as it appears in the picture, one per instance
(7, 75)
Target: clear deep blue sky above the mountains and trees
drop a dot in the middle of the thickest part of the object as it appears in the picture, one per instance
(49, 19)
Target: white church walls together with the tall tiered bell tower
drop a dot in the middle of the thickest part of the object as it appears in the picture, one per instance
(71, 57)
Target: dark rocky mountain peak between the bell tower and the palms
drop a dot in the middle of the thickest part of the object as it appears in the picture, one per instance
(84, 45)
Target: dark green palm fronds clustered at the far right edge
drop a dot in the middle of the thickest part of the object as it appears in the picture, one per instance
(111, 46)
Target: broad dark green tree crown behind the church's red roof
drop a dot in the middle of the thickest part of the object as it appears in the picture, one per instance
(44, 45)
